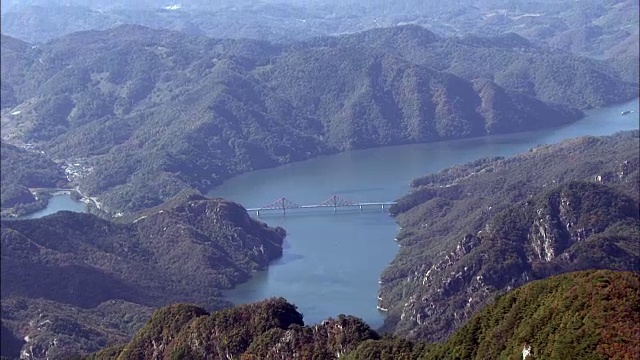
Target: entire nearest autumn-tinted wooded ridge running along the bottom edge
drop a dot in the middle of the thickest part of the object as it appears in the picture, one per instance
(593, 314)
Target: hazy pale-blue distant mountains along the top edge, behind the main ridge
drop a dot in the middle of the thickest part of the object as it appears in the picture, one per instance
(588, 27)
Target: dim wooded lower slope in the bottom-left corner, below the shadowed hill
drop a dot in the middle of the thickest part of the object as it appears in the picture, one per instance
(41, 328)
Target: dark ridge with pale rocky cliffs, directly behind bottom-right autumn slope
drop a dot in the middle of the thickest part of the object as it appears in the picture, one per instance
(574, 227)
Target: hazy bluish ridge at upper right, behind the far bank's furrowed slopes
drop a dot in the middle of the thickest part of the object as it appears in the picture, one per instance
(510, 60)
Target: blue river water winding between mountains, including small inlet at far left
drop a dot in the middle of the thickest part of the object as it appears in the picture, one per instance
(331, 262)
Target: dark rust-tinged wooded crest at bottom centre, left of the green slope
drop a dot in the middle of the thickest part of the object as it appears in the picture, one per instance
(270, 329)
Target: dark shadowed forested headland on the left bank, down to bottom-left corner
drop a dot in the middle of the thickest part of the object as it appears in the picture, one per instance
(74, 282)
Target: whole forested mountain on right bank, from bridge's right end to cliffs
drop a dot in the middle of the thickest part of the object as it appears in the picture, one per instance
(473, 231)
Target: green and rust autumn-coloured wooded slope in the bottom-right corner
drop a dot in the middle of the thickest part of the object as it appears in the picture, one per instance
(581, 315)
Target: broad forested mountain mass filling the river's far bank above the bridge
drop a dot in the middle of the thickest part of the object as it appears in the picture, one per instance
(155, 112)
